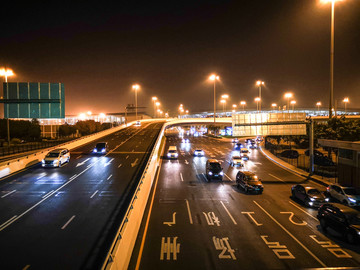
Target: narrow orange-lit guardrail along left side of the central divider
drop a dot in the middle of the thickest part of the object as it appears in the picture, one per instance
(119, 235)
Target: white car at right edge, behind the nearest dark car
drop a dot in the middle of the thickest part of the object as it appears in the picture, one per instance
(346, 195)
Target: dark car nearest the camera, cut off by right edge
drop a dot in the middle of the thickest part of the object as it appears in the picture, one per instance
(342, 219)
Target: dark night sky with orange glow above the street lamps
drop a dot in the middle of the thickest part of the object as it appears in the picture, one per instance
(98, 50)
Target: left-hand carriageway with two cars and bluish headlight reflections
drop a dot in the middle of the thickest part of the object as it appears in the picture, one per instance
(65, 218)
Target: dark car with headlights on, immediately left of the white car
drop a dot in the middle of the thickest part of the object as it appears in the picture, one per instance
(310, 196)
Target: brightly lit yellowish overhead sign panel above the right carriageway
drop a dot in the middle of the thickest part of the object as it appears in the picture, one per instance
(269, 124)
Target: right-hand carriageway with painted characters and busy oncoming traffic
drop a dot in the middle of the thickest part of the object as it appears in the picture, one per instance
(191, 223)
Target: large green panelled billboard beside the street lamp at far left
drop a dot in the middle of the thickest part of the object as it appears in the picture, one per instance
(34, 100)
